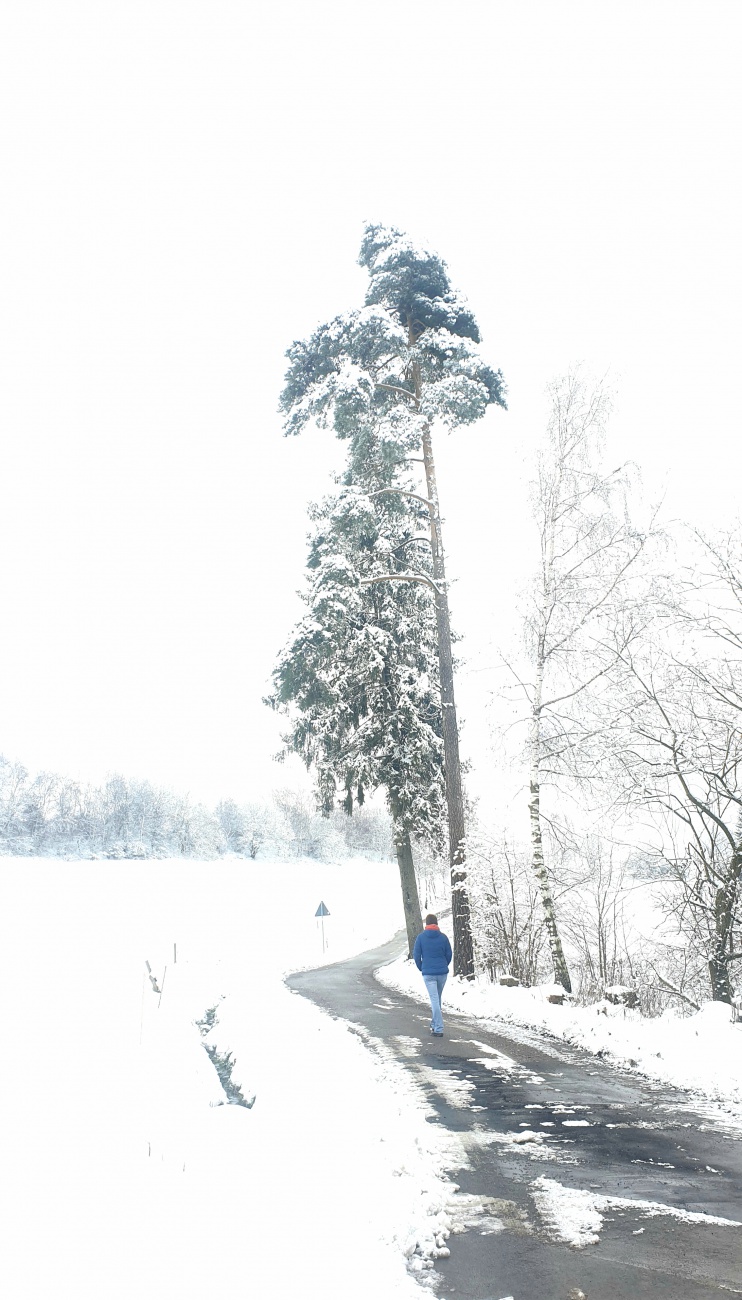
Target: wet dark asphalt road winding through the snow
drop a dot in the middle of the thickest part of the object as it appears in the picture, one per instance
(604, 1132)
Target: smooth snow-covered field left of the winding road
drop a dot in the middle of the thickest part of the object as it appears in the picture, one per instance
(124, 1175)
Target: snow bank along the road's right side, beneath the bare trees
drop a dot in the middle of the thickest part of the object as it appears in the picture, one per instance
(702, 1052)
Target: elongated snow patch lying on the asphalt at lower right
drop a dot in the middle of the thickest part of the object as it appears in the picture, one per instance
(576, 1217)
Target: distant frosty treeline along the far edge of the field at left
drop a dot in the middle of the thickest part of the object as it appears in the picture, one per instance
(50, 816)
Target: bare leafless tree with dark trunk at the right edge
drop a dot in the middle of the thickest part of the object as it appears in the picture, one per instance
(682, 756)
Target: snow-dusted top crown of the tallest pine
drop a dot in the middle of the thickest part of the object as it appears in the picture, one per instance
(359, 369)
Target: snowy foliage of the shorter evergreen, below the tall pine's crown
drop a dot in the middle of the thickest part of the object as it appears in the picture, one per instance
(359, 677)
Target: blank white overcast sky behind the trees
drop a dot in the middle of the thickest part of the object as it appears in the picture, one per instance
(185, 188)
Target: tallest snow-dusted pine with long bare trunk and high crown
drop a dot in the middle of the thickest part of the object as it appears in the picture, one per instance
(383, 378)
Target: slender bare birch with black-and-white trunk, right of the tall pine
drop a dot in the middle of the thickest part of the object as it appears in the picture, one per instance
(576, 623)
